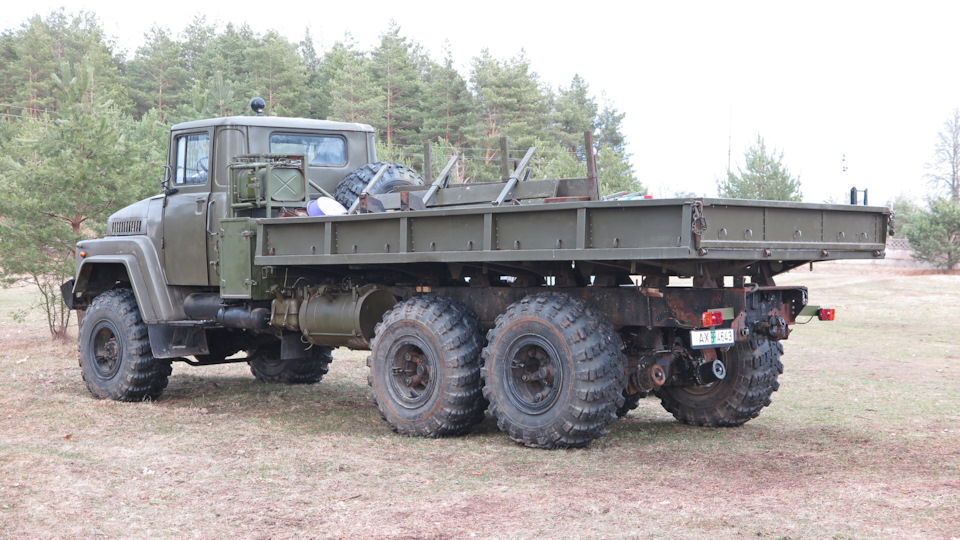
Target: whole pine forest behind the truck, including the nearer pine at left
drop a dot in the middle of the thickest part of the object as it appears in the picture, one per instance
(83, 126)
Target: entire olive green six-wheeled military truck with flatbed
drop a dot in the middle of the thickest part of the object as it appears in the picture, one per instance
(537, 301)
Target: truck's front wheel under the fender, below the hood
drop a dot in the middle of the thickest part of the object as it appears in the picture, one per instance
(115, 356)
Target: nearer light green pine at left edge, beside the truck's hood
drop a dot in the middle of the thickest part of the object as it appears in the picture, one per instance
(61, 177)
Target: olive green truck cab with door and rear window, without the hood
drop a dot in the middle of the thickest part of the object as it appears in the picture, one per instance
(198, 162)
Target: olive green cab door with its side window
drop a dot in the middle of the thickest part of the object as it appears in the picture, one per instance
(185, 209)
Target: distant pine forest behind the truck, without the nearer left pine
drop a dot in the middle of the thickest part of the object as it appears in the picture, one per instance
(407, 96)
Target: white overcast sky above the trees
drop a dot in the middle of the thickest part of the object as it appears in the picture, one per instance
(873, 81)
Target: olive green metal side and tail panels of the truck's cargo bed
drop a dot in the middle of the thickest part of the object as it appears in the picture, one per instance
(667, 233)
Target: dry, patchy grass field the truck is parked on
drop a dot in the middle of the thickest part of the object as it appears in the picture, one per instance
(862, 441)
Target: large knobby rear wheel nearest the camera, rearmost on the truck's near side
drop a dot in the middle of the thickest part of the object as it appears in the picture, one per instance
(553, 372)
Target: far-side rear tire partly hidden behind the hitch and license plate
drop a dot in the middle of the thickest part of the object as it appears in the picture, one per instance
(752, 369)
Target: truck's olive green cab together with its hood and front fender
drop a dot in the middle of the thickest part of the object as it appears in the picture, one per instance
(165, 248)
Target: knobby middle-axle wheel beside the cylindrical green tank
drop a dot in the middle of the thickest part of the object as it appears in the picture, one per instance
(425, 368)
